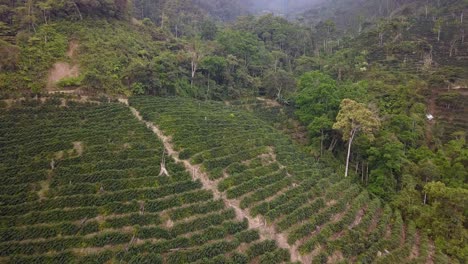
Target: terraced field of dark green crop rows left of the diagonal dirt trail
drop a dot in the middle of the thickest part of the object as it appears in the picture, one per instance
(82, 183)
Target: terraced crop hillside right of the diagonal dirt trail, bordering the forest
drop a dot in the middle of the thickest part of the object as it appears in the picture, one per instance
(319, 214)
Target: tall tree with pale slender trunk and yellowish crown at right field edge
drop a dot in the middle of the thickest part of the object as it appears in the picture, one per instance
(352, 119)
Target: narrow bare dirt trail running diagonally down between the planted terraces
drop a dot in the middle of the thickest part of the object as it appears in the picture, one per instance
(259, 223)
